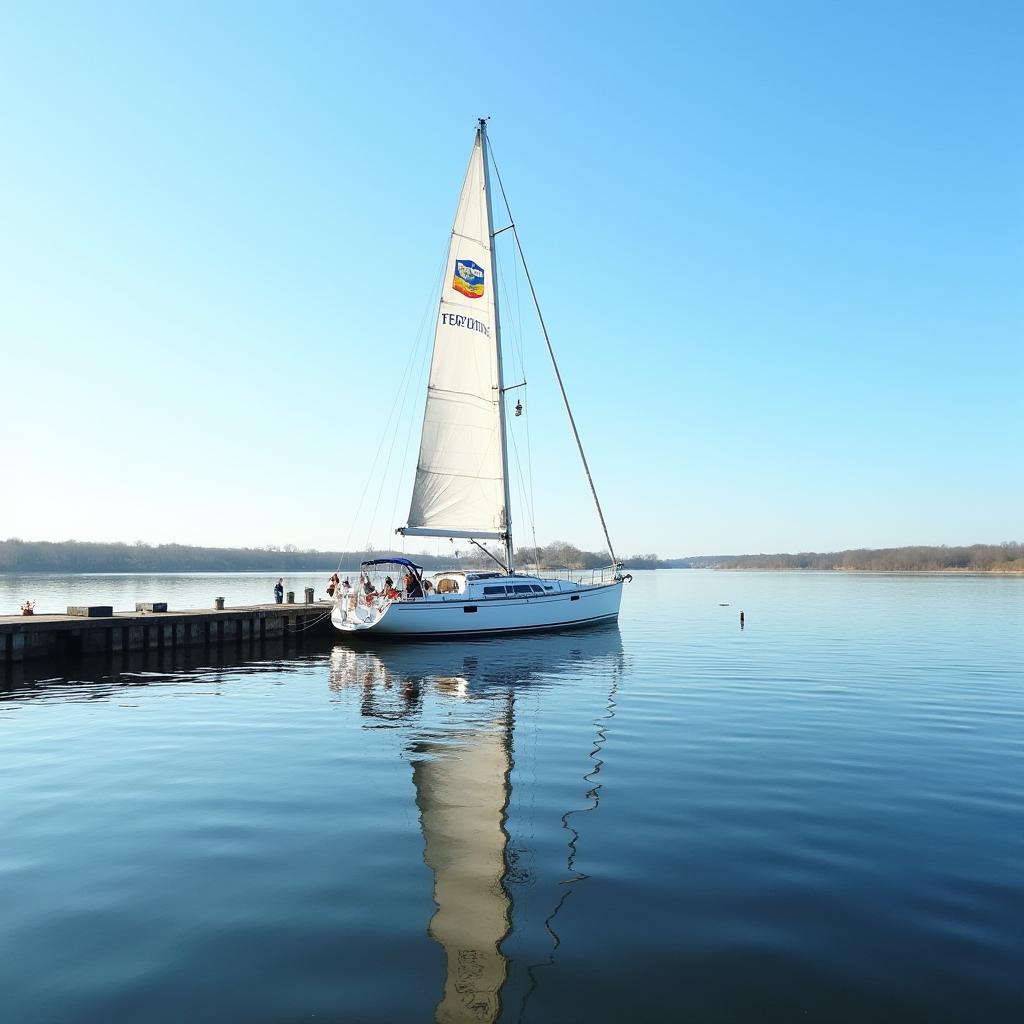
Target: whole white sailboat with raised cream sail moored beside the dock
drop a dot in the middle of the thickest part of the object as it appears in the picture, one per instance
(461, 489)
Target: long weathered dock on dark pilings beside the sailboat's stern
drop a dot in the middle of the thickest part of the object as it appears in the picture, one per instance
(28, 637)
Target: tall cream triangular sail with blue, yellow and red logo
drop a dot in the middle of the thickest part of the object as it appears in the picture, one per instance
(459, 478)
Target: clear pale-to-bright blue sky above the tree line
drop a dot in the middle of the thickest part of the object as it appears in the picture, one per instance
(780, 248)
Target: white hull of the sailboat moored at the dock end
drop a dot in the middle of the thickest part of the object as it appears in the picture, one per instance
(448, 616)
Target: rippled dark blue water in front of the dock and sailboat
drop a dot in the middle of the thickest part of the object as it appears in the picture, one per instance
(815, 819)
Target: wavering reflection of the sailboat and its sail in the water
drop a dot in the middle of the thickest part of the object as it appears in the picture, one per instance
(463, 780)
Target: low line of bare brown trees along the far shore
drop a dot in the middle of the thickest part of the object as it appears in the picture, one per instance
(88, 557)
